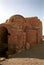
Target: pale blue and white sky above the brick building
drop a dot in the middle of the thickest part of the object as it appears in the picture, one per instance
(27, 8)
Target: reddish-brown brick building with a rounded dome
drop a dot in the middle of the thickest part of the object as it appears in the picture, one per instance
(24, 32)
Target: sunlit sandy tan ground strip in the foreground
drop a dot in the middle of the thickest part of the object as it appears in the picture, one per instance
(23, 61)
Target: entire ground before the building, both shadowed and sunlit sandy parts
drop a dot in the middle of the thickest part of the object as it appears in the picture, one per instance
(35, 56)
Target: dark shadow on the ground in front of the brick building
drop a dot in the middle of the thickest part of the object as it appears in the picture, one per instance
(36, 52)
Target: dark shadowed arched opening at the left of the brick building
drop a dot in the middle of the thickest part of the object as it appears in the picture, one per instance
(3, 41)
